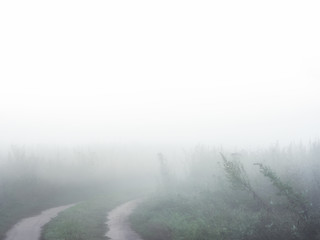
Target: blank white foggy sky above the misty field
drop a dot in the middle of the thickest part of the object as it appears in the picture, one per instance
(185, 72)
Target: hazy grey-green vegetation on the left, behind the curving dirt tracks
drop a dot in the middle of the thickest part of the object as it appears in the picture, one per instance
(31, 182)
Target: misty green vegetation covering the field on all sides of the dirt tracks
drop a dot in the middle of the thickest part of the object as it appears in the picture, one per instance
(267, 194)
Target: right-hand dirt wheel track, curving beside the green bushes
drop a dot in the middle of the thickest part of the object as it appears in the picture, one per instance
(118, 222)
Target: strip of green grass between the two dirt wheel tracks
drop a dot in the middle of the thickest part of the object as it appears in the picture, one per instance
(84, 221)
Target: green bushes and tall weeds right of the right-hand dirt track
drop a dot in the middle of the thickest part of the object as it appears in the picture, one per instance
(234, 200)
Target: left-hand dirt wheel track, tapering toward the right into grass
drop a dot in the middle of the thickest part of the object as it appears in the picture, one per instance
(30, 228)
